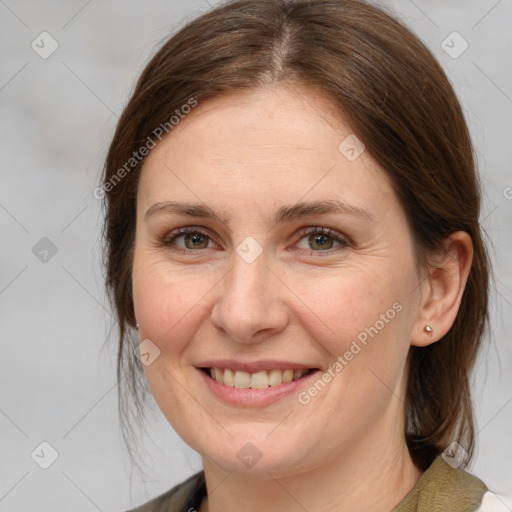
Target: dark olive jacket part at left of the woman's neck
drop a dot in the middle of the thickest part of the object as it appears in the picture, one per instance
(183, 496)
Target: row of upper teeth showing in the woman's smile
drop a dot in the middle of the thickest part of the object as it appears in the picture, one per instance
(259, 380)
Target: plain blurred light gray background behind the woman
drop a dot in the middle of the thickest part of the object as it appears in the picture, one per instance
(57, 115)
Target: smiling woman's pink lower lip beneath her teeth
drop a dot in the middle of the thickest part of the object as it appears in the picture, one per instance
(255, 397)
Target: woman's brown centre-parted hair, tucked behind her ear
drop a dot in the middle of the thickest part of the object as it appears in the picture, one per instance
(397, 100)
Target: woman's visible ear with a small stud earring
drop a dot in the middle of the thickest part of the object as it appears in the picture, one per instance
(442, 289)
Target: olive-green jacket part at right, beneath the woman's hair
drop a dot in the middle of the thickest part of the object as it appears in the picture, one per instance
(446, 488)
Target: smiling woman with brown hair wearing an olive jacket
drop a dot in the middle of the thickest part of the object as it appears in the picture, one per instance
(292, 226)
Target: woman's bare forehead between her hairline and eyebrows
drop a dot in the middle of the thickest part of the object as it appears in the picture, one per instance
(268, 146)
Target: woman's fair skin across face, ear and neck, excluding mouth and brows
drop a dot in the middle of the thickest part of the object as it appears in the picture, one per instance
(245, 155)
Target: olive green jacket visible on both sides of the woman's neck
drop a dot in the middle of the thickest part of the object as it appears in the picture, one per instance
(440, 489)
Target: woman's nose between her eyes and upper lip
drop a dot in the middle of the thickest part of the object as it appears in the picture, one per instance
(251, 304)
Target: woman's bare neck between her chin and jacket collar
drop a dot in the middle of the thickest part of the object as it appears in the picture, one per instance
(371, 479)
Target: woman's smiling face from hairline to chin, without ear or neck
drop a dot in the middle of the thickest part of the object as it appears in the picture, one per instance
(254, 287)
